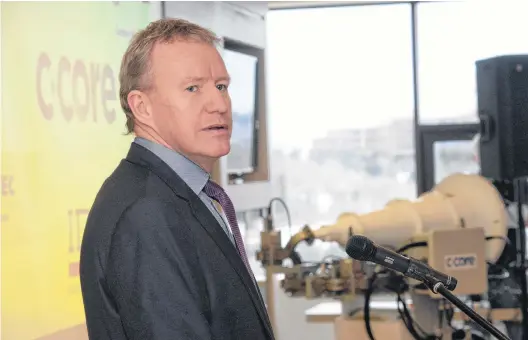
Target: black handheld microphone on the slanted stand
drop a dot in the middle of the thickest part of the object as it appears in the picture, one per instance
(362, 249)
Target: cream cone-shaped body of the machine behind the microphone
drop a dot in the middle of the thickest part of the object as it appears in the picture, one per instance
(458, 202)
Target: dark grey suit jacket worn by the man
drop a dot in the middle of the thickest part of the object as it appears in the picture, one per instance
(156, 265)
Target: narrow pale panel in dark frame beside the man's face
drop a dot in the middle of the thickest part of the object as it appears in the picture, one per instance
(243, 70)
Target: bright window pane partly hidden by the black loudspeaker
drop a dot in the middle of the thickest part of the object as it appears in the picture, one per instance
(448, 50)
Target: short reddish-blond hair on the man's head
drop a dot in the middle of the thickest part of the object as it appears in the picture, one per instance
(135, 64)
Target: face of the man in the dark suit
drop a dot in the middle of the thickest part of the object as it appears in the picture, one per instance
(189, 102)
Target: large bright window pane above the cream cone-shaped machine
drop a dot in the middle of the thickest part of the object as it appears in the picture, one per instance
(340, 108)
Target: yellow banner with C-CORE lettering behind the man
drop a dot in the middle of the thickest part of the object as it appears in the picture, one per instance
(62, 135)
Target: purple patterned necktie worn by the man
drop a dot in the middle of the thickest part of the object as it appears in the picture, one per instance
(216, 192)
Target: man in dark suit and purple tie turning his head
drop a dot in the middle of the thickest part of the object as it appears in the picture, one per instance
(159, 259)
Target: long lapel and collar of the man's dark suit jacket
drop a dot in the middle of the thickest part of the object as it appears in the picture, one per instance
(143, 157)
